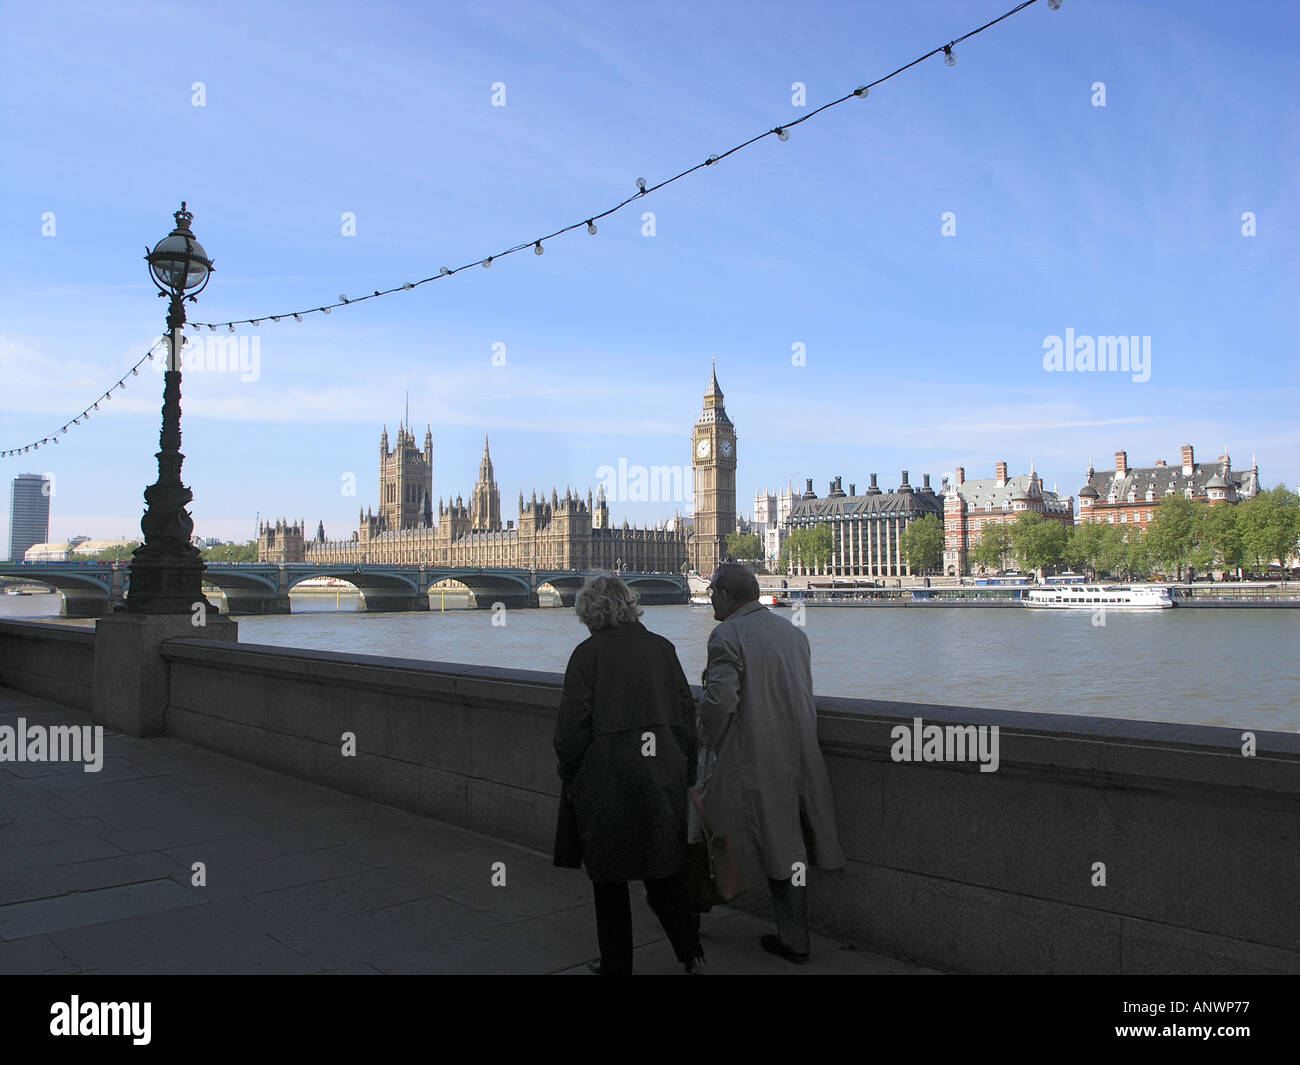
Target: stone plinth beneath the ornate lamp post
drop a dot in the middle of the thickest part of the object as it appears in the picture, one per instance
(132, 677)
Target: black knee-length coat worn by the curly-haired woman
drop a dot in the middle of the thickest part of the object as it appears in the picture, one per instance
(627, 747)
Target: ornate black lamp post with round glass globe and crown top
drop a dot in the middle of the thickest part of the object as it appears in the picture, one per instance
(167, 569)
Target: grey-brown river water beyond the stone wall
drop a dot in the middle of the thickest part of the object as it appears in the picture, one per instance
(1227, 668)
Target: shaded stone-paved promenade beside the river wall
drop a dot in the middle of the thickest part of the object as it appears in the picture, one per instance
(97, 876)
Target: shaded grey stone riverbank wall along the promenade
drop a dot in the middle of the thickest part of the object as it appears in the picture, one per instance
(1097, 846)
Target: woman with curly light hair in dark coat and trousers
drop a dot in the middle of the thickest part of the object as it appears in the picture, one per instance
(627, 748)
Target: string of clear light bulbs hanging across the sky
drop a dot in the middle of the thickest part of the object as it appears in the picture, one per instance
(782, 133)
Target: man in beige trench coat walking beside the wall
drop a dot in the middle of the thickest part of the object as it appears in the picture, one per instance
(769, 783)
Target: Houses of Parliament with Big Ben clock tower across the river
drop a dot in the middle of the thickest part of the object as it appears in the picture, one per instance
(566, 532)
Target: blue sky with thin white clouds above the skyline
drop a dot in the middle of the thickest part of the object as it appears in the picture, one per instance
(924, 352)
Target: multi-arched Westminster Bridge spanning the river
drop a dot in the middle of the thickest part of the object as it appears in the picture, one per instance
(92, 590)
